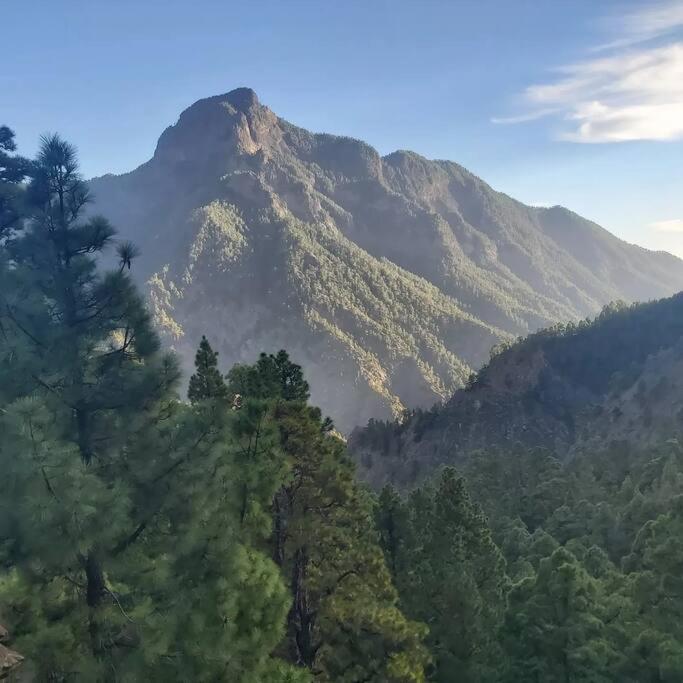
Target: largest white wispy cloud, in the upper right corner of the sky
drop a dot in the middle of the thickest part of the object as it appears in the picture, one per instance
(633, 93)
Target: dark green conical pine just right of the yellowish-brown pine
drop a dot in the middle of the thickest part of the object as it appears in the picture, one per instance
(452, 577)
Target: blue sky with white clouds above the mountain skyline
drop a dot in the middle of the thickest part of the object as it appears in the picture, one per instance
(578, 102)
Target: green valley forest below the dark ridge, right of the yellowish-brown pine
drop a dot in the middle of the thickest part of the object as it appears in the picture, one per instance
(555, 573)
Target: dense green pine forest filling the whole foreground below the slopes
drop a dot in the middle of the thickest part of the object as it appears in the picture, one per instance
(226, 537)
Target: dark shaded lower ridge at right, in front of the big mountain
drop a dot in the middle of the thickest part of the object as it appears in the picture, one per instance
(613, 383)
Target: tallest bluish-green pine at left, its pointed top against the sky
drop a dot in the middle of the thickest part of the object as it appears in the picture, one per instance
(89, 368)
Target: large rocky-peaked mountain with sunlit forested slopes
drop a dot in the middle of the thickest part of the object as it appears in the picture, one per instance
(388, 278)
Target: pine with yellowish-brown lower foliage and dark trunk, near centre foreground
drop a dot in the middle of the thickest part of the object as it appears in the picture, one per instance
(344, 623)
